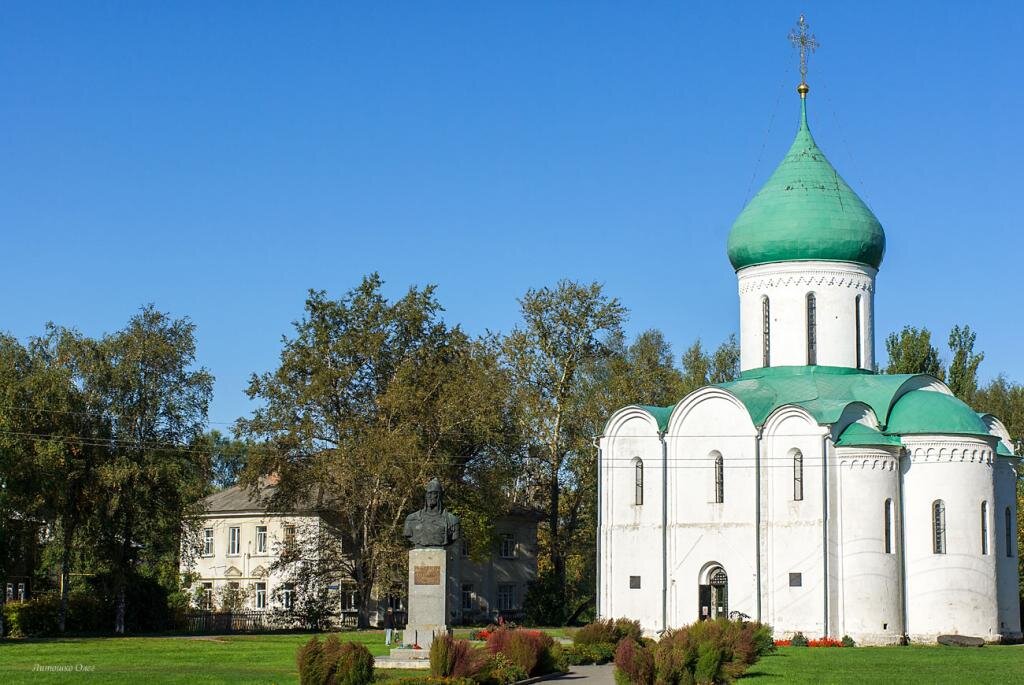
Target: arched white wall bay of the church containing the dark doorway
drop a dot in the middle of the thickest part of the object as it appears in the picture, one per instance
(702, 532)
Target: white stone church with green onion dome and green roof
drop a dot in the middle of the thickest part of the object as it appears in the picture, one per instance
(813, 494)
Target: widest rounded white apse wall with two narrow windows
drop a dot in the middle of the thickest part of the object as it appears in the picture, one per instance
(952, 593)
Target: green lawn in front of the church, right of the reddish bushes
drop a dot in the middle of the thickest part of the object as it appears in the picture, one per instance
(993, 664)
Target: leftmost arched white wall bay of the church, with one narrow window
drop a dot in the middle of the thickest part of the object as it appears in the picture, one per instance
(630, 535)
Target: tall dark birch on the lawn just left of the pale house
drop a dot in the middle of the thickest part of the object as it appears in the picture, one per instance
(142, 380)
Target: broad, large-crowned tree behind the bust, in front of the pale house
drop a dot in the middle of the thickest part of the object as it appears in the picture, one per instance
(370, 401)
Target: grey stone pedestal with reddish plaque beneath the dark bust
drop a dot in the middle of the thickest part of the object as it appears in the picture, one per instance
(434, 594)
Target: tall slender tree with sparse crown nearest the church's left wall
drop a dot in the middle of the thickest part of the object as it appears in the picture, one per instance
(565, 329)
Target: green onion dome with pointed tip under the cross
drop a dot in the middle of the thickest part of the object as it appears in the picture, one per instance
(806, 211)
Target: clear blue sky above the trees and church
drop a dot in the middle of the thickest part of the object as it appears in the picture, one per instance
(218, 159)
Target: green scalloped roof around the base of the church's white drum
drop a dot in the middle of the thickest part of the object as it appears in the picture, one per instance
(824, 392)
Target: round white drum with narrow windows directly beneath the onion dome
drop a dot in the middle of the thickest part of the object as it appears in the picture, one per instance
(836, 287)
